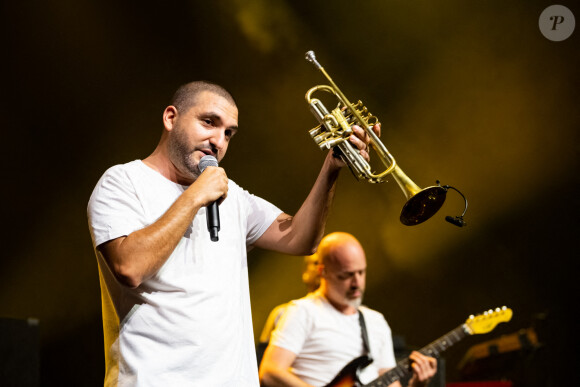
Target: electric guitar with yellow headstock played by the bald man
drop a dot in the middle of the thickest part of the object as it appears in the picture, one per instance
(474, 325)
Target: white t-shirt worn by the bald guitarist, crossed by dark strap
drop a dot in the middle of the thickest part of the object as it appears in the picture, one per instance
(326, 340)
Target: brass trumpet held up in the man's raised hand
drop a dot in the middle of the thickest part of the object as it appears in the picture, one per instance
(333, 133)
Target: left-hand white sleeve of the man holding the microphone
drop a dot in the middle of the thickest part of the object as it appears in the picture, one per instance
(114, 209)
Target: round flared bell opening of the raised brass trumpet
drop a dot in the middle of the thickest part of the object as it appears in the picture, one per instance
(423, 205)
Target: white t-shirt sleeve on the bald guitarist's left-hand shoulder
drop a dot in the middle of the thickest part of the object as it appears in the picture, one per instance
(292, 329)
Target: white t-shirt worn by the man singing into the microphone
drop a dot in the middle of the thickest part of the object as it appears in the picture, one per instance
(190, 324)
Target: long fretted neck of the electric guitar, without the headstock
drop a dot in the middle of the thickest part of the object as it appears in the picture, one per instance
(434, 349)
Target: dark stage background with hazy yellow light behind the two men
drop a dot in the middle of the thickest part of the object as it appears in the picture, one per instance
(470, 93)
